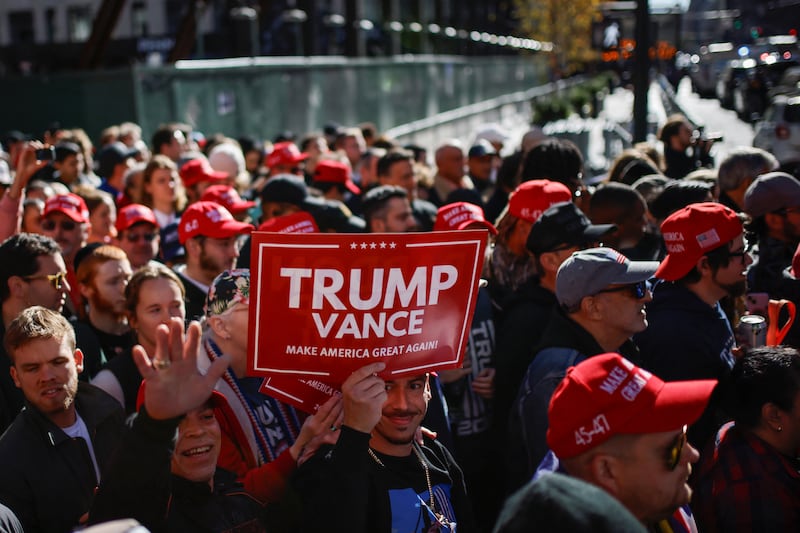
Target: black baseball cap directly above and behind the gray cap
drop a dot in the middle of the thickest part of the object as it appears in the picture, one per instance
(564, 223)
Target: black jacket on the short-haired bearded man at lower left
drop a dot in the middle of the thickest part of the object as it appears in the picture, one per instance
(48, 478)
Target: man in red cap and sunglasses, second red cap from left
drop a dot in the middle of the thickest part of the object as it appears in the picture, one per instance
(137, 234)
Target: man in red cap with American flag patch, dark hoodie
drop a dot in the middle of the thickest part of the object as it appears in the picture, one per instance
(689, 336)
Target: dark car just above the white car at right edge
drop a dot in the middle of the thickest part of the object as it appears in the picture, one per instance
(751, 94)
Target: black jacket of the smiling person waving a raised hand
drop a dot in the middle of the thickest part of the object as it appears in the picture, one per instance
(139, 485)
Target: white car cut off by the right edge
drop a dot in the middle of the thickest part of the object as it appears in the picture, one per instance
(779, 130)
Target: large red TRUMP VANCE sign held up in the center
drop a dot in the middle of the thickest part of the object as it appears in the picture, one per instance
(323, 305)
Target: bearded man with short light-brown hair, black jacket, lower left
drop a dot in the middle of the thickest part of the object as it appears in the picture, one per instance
(54, 453)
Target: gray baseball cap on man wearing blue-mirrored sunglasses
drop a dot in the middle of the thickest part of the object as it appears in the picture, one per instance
(587, 272)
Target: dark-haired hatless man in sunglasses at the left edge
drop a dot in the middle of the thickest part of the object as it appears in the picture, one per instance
(32, 273)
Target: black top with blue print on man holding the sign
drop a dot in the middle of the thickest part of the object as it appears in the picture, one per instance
(343, 489)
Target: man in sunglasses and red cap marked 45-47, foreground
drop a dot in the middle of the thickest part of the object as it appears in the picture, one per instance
(623, 429)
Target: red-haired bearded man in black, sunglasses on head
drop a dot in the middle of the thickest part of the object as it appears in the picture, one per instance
(103, 333)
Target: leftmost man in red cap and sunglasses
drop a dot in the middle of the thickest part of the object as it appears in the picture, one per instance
(66, 220)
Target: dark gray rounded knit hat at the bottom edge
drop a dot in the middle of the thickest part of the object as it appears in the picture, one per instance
(558, 503)
